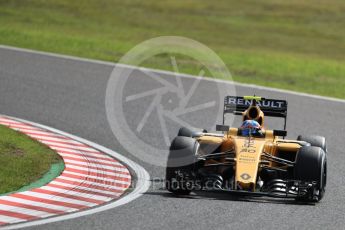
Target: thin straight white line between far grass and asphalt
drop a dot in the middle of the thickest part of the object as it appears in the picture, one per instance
(165, 72)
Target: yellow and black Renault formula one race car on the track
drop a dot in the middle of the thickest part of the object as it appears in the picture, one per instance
(249, 160)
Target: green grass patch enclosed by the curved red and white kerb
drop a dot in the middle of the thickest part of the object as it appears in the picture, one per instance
(22, 159)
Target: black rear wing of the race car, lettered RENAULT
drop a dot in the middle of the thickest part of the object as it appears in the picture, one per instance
(270, 107)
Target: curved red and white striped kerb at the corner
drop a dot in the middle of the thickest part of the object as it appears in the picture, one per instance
(90, 178)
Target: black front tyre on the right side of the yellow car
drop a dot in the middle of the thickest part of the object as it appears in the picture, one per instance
(311, 165)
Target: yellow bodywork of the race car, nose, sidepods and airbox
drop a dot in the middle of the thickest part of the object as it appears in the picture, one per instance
(249, 152)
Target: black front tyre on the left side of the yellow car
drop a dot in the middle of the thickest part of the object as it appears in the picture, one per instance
(180, 175)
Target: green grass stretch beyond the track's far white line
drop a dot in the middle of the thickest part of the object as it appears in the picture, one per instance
(297, 44)
